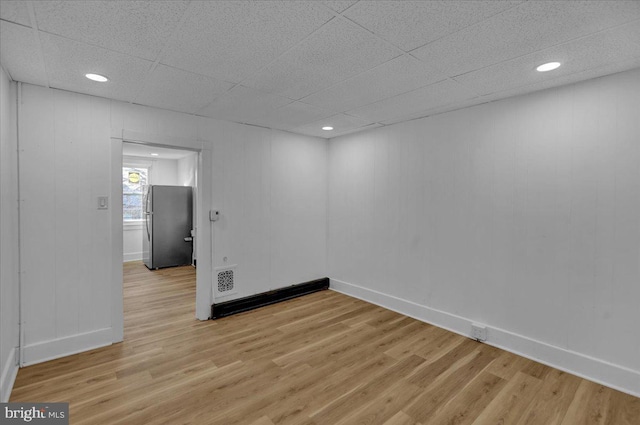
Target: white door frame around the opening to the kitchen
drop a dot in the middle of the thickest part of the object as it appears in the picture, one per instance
(204, 228)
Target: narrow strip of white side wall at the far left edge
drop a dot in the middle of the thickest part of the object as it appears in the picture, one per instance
(8, 236)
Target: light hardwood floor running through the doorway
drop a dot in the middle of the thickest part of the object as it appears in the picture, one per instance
(321, 359)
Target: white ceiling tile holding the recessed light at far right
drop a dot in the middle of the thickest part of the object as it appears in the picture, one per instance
(580, 55)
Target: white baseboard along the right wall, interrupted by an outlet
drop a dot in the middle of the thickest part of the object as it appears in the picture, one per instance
(593, 369)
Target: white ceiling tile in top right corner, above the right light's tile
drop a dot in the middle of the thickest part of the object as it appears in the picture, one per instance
(529, 27)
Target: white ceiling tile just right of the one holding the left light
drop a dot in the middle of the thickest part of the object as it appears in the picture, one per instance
(179, 90)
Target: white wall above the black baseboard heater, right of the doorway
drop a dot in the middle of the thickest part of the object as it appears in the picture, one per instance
(270, 187)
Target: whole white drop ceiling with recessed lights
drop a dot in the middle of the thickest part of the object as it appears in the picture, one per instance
(301, 65)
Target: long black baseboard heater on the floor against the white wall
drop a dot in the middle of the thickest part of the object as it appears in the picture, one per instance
(228, 308)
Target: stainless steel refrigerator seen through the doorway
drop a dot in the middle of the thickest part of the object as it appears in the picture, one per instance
(166, 237)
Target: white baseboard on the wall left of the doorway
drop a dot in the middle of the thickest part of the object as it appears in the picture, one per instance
(61, 347)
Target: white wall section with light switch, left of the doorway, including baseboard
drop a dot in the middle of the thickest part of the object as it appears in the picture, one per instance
(65, 239)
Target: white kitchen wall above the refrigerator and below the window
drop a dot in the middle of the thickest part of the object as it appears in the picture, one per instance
(162, 172)
